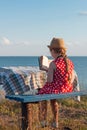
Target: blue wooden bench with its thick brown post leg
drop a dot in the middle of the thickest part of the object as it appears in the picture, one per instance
(27, 100)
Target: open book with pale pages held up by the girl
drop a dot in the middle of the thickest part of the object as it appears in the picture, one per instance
(44, 63)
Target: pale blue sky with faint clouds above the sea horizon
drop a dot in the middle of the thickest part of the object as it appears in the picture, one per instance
(28, 26)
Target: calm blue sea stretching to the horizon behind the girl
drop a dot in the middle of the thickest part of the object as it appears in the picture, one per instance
(80, 63)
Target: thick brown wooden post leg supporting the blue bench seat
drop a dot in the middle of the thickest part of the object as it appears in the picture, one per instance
(26, 116)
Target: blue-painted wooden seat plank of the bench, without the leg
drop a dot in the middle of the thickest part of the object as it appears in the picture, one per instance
(37, 98)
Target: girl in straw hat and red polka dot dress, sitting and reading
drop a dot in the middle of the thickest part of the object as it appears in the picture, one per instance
(58, 79)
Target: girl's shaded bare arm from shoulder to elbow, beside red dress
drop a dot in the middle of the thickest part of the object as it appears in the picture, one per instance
(51, 69)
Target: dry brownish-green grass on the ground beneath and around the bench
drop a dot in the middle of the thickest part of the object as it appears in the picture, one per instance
(72, 114)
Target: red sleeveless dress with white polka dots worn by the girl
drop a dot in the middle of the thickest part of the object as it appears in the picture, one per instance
(60, 83)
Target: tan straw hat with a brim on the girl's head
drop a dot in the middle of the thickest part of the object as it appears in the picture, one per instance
(57, 43)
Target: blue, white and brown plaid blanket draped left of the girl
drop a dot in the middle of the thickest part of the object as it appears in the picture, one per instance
(22, 80)
